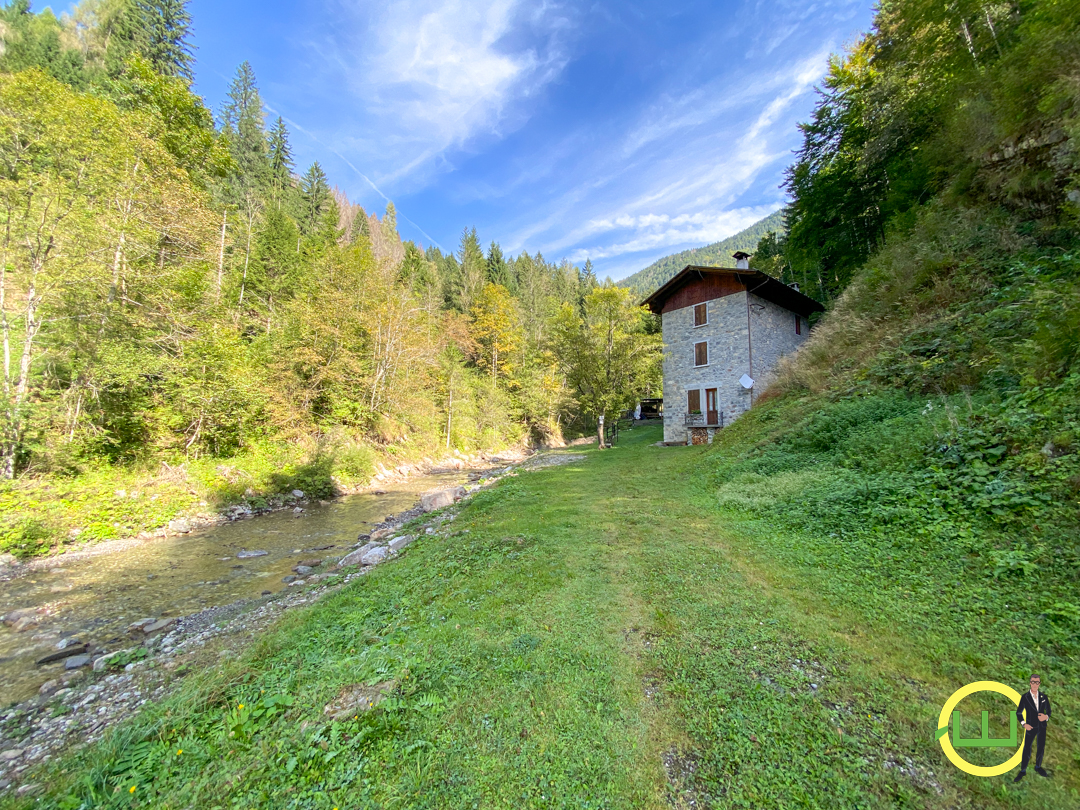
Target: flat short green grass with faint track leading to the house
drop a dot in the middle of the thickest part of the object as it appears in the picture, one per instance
(596, 636)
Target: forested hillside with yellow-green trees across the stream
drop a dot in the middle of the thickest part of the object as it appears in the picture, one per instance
(191, 320)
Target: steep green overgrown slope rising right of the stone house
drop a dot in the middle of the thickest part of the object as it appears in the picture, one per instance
(928, 438)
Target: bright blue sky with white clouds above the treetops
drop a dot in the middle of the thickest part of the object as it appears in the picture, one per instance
(619, 131)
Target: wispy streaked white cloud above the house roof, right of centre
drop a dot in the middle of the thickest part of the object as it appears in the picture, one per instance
(698, 154)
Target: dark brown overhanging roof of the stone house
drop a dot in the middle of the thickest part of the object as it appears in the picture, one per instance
(696, 285)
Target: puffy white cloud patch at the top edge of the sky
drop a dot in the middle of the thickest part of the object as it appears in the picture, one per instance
(434, 75)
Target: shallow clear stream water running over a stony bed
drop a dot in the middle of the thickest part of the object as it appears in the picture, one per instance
(96, 599)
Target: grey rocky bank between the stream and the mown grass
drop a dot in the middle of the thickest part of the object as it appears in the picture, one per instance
(100, 687)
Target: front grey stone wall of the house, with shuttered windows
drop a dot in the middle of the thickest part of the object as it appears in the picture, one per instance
(726, 334)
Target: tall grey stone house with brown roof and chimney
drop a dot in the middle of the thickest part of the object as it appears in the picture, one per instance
(724, 332)
